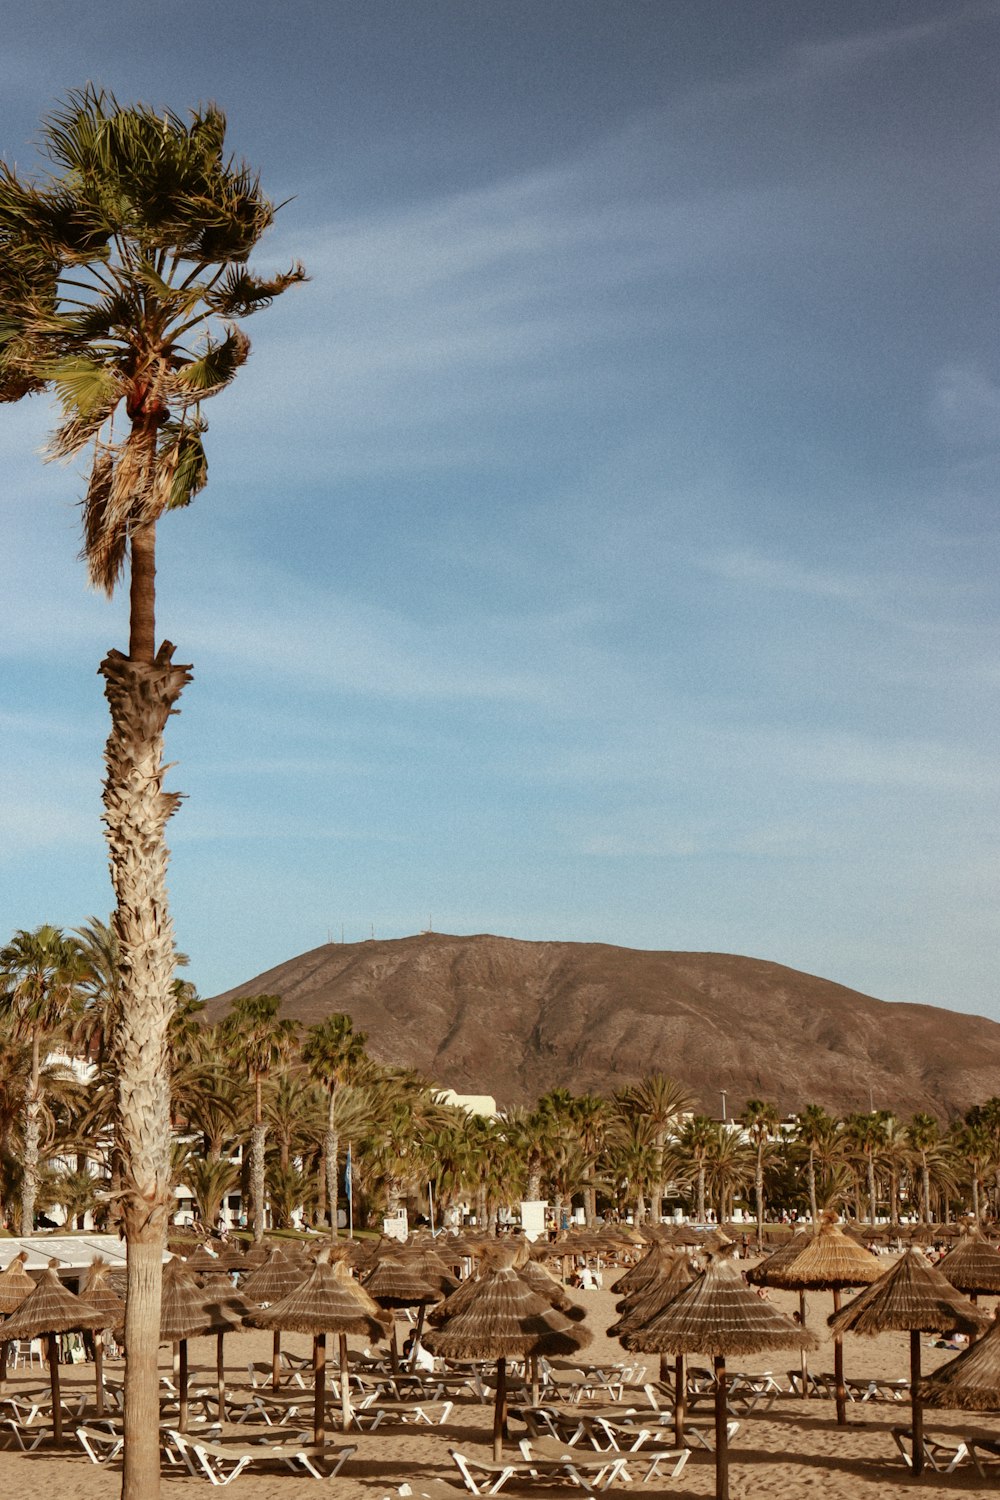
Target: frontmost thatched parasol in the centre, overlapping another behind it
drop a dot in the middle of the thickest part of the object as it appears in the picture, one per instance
(501, 1318)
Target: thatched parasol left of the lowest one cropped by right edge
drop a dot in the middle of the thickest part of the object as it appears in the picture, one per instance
(918, 1300)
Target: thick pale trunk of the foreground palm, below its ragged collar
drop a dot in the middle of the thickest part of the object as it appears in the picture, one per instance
(142, 695)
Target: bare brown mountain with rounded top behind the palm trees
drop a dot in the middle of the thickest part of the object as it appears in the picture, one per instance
(515, 1019)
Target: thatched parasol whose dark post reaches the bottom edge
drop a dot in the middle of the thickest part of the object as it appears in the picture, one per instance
(719, 1316)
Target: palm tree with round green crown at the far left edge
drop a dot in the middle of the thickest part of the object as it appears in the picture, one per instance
(41, 974)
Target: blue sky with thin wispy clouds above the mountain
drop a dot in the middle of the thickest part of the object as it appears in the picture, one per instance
(603, 545)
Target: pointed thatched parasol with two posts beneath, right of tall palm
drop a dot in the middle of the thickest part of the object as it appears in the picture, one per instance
(329, 1301)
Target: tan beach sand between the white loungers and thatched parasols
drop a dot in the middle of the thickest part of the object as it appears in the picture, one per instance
(794, 1450)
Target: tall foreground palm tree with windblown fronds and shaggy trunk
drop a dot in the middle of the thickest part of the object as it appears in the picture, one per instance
(122, 280)
